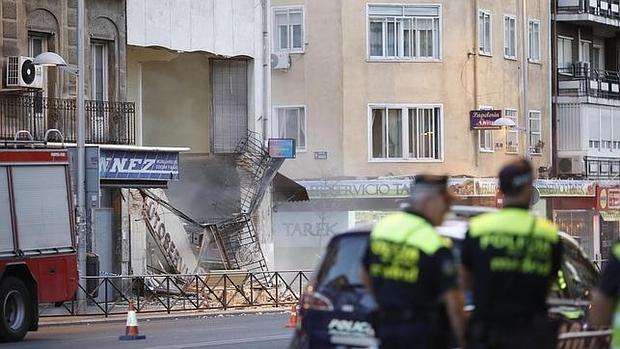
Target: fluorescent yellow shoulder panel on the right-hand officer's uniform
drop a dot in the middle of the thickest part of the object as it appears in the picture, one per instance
(515, 221)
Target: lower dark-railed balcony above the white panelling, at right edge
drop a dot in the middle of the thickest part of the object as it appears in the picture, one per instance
(581, 81)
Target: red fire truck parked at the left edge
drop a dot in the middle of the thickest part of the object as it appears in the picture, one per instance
(38, 259)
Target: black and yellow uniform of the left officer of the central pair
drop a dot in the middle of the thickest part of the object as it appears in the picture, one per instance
(410, 266)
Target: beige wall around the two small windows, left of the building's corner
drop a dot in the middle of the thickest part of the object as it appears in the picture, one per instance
(315, 80)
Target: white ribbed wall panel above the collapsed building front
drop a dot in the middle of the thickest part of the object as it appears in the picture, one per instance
(227, 28)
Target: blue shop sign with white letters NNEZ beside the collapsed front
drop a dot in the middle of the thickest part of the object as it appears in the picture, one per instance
(138, 165)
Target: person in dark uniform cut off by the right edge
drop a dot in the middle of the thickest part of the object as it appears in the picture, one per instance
(606, 298)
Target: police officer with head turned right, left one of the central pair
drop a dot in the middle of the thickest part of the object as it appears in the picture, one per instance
(411, 271)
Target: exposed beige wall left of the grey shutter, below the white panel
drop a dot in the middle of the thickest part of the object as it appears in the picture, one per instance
(172, 91)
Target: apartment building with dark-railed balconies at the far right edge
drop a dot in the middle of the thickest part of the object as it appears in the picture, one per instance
(586, 94)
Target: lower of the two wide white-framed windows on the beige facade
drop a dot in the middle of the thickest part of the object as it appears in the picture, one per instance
(406, 132)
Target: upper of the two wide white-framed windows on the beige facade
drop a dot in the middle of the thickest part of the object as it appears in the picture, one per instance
(407, 32)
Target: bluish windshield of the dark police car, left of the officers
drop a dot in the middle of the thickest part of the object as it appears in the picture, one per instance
(341, 266)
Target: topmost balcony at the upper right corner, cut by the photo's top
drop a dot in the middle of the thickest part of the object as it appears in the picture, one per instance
(604, 12)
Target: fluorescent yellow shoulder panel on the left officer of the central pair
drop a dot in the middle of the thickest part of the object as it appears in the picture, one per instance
(410, 229)
